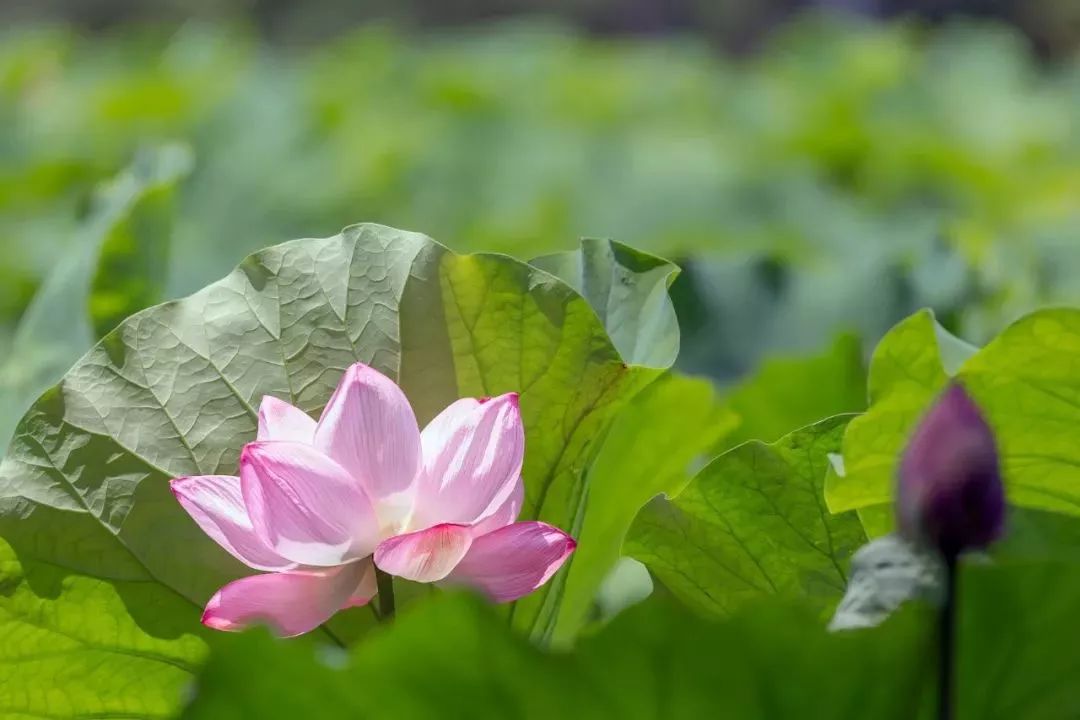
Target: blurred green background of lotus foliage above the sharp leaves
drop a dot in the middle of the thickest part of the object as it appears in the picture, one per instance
(816, 168)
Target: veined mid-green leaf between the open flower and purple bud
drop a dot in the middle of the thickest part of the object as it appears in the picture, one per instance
(752, 524)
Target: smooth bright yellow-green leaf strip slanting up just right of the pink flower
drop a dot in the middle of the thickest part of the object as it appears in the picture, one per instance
(650, 450)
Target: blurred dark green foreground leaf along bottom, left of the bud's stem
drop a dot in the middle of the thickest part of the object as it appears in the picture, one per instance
(455, 659)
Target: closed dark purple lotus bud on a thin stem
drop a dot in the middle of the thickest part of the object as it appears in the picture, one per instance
(950, 494)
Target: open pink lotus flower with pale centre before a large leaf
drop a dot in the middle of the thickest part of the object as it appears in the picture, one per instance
(320, 506)
